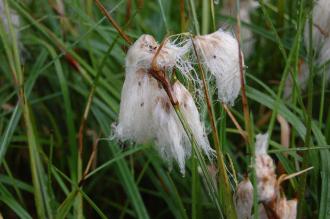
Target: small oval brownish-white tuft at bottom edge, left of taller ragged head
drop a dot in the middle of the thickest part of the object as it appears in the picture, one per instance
(244, 199)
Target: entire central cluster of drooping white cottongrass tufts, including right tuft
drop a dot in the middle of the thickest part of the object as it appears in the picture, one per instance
(146, 108)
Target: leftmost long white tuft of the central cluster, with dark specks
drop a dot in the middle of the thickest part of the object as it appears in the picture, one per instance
(139, 93)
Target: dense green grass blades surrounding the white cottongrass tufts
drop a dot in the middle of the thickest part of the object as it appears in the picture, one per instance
(67, 69)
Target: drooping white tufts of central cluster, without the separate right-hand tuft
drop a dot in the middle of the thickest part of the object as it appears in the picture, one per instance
(146, 113)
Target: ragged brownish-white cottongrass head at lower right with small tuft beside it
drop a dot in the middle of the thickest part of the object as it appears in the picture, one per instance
(274, 204)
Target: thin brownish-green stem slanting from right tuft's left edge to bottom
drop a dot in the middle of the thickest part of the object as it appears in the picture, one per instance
(223, 177)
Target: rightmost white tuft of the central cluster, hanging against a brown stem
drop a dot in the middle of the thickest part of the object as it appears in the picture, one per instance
(219, 53)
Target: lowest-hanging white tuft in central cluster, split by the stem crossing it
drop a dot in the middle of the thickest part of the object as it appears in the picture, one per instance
(172, 140)
